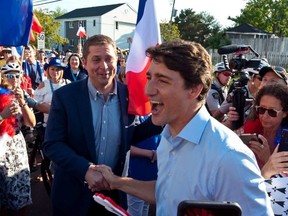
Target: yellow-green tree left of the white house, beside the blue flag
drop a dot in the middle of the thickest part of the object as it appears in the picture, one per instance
(50, 27)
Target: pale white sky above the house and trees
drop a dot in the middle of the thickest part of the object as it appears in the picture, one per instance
(220, 9)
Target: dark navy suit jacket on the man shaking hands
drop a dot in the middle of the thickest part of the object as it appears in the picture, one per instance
(69, 143)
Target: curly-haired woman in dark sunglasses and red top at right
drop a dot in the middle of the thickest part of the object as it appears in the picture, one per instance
(268, 119)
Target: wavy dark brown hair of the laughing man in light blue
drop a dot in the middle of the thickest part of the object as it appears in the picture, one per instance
(190, 59)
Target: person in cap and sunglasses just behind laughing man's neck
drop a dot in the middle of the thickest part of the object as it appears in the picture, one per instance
(219, 89)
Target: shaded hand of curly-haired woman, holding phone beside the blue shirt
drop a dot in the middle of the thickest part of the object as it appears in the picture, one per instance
(261, 148)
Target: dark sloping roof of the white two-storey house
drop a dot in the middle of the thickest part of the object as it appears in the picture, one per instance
(88, 12)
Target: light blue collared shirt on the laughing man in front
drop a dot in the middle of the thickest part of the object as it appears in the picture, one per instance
(208, 161)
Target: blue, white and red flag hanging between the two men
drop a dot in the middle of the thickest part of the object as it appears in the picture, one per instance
(147, 34)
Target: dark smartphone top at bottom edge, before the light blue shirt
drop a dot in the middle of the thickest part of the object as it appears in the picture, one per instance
(208, 208)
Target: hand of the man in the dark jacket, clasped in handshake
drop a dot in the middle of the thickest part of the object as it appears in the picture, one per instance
(95, 179)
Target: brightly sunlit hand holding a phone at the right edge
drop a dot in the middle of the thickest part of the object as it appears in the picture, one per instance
(276, 164)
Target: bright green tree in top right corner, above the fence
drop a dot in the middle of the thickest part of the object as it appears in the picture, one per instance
(268, 15)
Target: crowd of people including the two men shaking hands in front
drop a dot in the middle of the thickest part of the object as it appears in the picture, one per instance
(188, 148)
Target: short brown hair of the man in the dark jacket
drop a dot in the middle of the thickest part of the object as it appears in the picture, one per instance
(97, 40)
